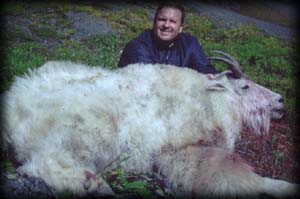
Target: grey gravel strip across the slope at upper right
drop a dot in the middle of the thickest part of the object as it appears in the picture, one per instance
(225, 18)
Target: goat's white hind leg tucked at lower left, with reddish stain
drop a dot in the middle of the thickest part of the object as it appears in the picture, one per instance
(65, 174)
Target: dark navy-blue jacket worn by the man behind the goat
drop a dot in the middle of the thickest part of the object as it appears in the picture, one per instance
(185, 52)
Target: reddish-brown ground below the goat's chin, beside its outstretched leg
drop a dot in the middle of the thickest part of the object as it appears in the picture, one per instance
(274, 155)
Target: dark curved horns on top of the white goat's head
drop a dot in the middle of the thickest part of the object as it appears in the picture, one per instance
(233, 64)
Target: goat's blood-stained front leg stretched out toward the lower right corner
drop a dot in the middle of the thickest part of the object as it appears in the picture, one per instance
(201, 171)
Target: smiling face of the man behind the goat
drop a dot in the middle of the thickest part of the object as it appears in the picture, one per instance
(168, 24)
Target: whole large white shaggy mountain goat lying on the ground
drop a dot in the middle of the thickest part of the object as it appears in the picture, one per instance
(68, 121)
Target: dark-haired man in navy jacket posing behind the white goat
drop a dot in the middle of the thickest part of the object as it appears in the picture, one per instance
(167, 44)
